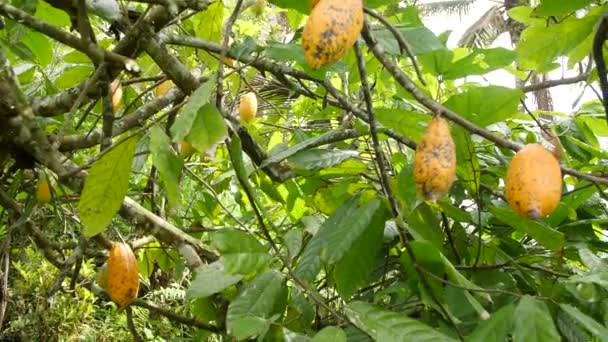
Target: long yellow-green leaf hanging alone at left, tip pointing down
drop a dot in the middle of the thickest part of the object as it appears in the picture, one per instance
(106, 187)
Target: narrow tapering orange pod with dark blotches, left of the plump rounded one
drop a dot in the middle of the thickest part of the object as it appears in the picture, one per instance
(435, 161)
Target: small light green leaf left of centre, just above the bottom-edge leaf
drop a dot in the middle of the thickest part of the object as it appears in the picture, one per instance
(241, 252)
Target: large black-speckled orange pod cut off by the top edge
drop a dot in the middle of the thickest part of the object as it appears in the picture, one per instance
(331, 30)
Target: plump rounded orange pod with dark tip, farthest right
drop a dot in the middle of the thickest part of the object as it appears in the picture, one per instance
(534, 182)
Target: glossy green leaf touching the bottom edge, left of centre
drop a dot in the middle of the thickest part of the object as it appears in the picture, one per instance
(259, 300)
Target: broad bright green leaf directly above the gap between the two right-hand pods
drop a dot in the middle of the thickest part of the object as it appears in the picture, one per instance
(486, 105)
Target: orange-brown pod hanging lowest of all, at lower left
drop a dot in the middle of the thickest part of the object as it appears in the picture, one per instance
(123, 276)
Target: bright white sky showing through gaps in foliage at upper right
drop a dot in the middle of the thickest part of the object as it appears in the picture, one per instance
(563, 96)
